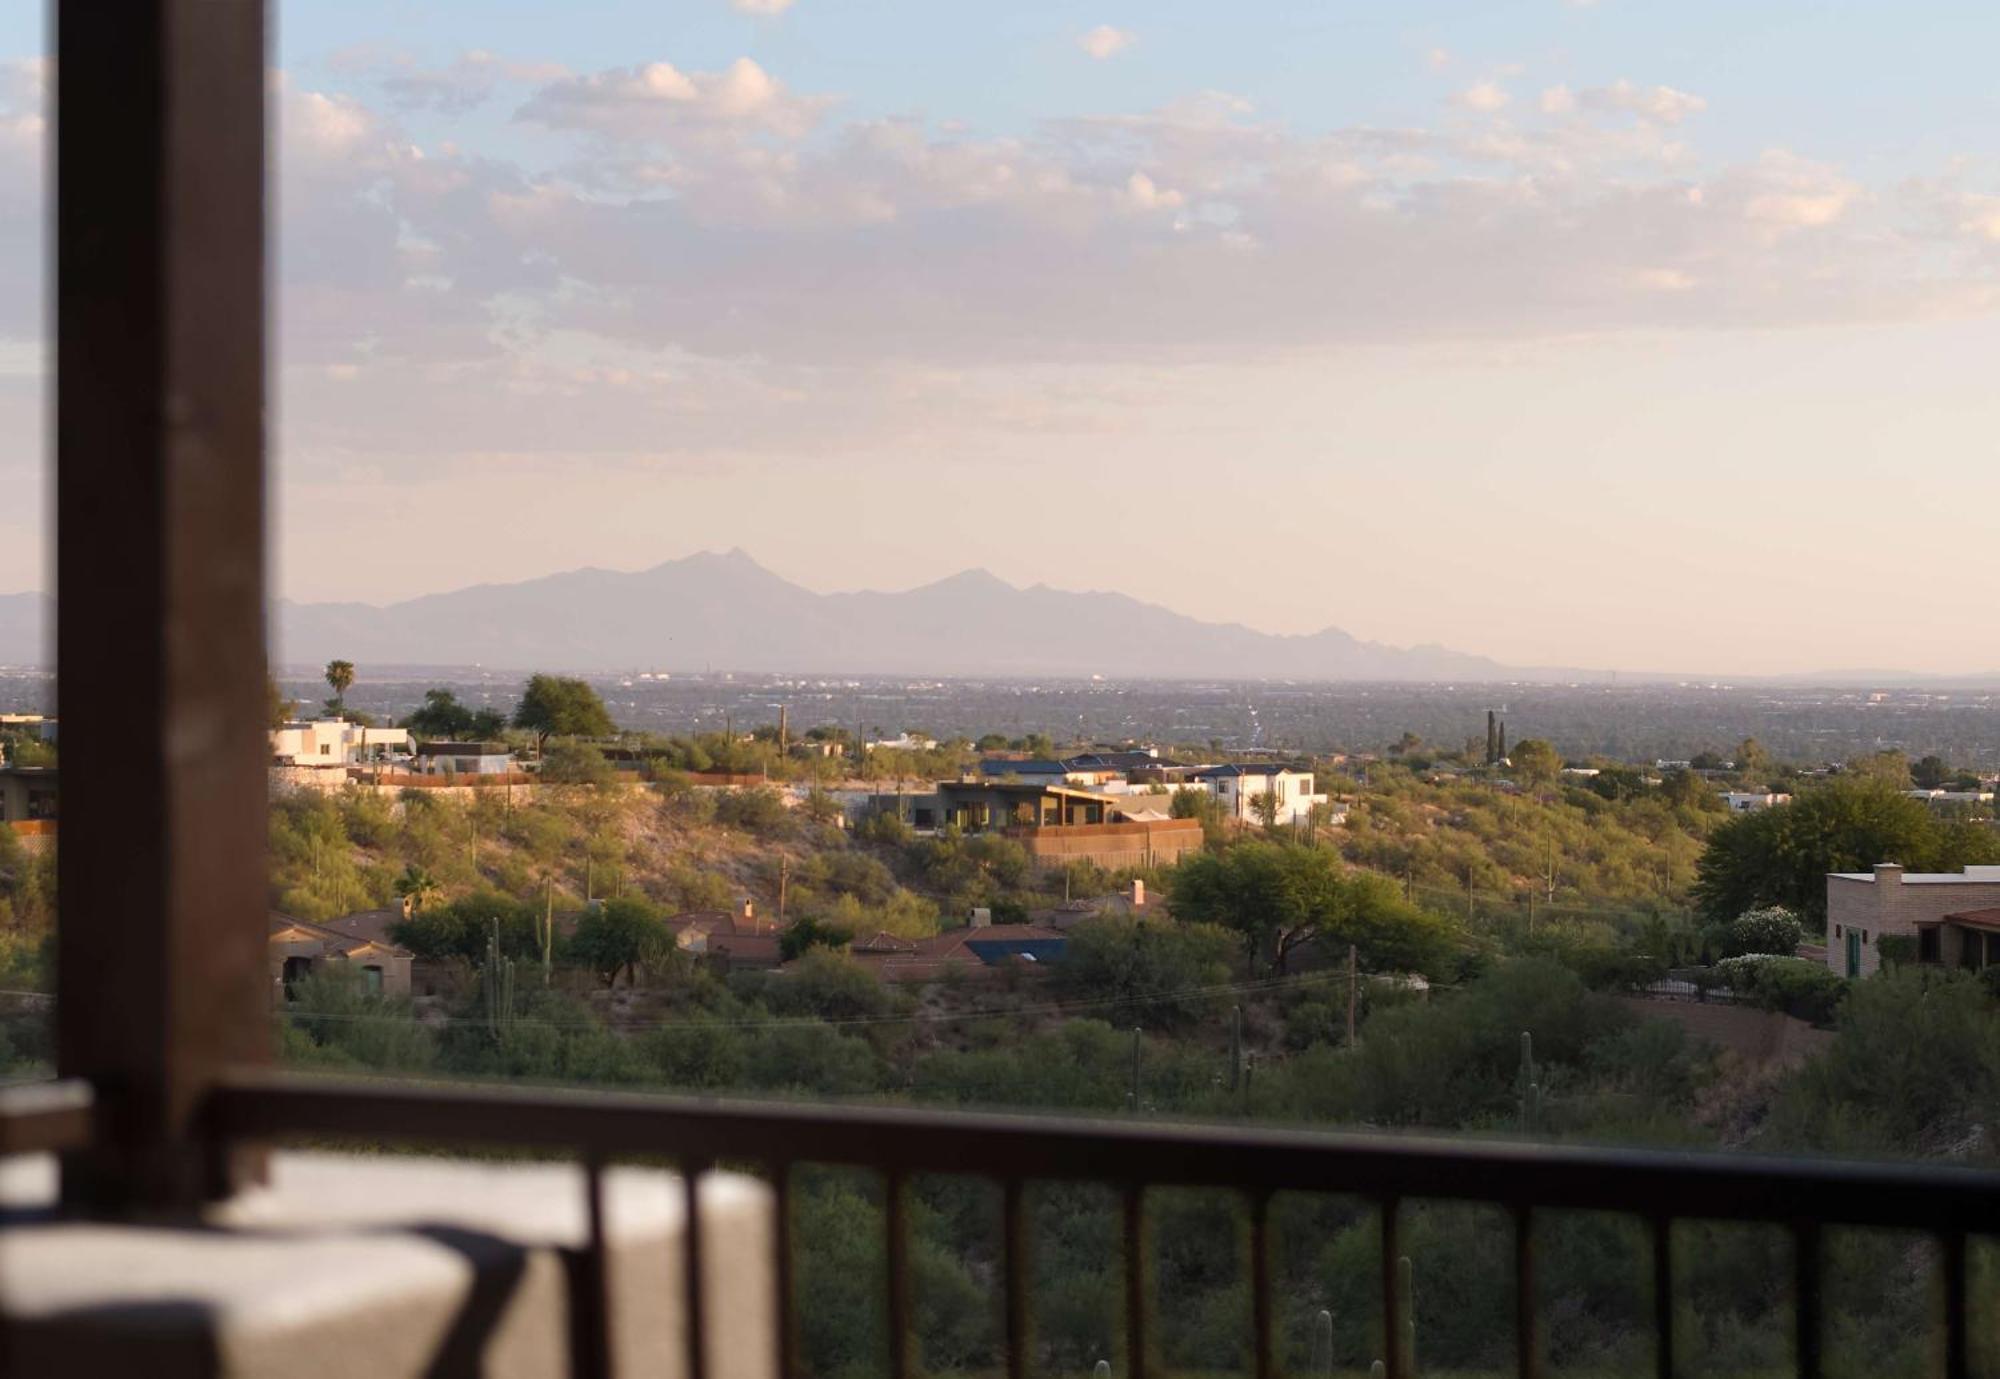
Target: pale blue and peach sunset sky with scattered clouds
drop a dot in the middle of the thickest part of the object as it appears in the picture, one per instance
(1567, 333)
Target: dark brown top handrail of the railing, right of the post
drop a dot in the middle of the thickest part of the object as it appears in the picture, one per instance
(1649, 1182)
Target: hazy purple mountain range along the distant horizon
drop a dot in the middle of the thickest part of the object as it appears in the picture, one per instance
(729, 613)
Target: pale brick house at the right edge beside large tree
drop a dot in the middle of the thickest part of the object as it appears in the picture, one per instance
(1927, 906)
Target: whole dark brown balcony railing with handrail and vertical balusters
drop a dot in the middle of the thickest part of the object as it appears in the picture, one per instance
(1801, 1196)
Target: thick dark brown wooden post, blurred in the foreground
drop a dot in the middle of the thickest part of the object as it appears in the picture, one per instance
(161, 581)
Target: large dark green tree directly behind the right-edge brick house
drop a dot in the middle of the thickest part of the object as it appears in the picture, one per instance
(1849, 824)
